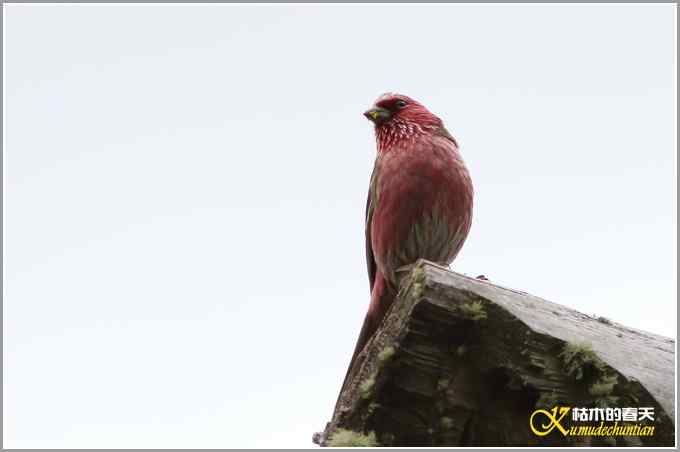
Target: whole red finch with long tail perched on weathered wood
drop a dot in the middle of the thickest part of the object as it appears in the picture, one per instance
(419, 200)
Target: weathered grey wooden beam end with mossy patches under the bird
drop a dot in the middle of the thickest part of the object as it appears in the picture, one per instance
(459, 361)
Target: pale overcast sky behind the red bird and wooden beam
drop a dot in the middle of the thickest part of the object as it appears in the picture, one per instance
(184, 194)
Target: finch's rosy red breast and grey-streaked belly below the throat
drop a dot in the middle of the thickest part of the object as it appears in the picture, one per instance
(422, 197)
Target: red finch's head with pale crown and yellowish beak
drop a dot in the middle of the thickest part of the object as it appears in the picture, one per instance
(393, 109)
